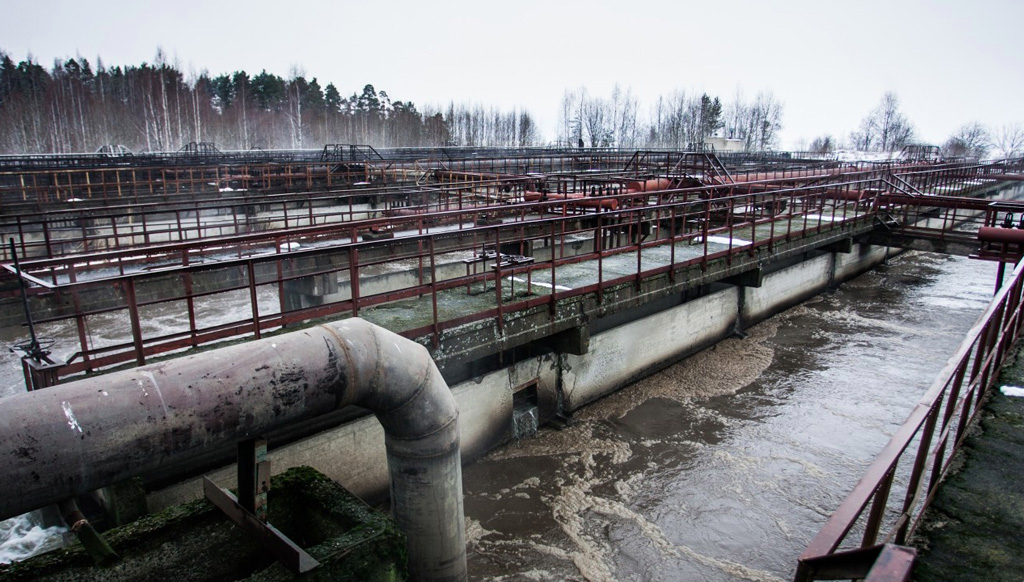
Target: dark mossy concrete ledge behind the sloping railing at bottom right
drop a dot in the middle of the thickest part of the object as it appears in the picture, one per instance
(974, 530)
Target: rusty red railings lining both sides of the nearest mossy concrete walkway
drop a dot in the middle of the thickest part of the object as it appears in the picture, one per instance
(748, 222)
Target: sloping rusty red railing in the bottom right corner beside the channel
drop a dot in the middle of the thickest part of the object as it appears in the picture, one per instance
(929, 439)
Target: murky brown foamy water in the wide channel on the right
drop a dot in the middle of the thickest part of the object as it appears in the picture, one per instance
(724, 467)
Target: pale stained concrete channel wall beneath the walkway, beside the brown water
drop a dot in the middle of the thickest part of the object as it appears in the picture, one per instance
(354, 454)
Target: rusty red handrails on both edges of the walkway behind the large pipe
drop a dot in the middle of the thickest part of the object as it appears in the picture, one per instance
(743, 215)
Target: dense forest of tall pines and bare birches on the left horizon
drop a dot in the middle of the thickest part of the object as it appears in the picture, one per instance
(75, 108)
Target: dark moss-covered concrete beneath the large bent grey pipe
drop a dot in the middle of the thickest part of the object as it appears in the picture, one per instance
(196, 543)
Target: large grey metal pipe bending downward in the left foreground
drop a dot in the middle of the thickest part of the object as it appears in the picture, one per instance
(82, 436)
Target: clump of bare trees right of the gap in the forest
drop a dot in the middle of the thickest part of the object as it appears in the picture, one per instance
(679, 121)
